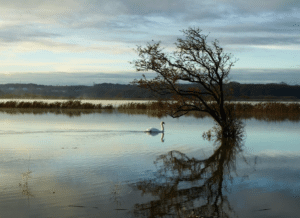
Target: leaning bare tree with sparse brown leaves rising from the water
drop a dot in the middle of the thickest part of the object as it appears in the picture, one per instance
(195, 62)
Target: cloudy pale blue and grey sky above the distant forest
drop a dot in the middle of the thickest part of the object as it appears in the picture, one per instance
(92, 41)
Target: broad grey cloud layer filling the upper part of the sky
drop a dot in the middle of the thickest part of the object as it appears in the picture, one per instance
(129, 21)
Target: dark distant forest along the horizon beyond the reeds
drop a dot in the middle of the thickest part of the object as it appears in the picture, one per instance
(269, 91)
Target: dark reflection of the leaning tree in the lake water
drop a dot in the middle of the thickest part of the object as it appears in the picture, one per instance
(188, 187)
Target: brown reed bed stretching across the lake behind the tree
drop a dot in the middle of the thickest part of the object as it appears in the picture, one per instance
(271, 111)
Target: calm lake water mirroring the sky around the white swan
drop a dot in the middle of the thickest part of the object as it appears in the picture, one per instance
(102, 165)
